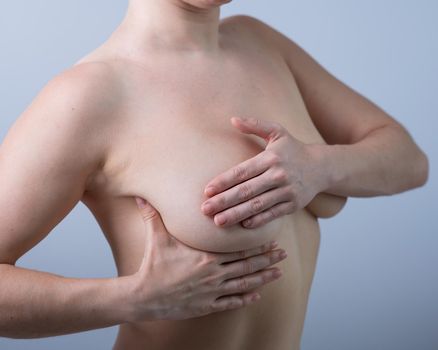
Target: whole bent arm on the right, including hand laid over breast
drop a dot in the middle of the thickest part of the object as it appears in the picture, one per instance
(368, 152)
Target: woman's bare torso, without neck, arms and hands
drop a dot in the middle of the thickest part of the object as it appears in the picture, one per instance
(171, 136)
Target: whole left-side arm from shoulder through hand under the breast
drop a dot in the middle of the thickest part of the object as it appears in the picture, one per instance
(46, 163)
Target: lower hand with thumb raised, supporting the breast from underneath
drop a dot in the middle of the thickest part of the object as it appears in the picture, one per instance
(176, 282)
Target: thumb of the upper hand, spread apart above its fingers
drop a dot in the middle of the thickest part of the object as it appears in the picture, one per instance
(270, 131)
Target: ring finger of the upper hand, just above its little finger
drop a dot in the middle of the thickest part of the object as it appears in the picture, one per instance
(249, 208)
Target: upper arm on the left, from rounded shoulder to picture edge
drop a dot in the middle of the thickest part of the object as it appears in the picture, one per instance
(47, 158)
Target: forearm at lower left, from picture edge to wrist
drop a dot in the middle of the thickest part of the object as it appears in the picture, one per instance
(37, 304)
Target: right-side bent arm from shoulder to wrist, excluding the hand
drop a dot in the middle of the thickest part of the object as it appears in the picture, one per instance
(369, 153)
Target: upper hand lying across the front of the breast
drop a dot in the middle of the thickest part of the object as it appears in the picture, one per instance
(278, 181)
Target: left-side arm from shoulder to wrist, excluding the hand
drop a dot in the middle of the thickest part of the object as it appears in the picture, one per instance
(46, 160)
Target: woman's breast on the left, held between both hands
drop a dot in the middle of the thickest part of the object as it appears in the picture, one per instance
(170, 167)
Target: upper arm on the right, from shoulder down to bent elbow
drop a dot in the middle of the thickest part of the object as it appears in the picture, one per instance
(341, 115)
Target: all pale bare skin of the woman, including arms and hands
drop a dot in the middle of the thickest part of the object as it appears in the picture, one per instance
(367, 154)
